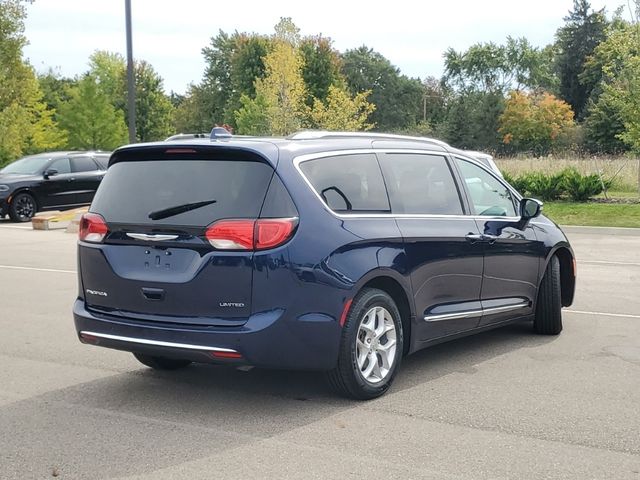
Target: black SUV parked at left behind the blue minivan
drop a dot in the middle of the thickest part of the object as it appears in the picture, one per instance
(50, 181)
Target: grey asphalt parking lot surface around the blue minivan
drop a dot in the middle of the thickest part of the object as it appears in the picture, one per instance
(504, 404)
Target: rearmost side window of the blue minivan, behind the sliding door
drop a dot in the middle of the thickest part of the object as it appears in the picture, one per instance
(348, 183)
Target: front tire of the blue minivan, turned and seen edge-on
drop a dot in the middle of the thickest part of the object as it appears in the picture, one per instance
(548, 316)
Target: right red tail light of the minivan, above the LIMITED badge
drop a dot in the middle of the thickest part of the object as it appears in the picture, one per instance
(251, 234)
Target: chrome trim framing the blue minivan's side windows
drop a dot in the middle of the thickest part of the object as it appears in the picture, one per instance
(335, 153)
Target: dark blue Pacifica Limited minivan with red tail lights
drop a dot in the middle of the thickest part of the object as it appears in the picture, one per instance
(337, 252)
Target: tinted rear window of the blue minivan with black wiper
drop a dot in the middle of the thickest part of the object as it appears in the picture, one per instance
(216, 189)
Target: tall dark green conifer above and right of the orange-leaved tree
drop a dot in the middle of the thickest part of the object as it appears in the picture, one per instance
(584, 30)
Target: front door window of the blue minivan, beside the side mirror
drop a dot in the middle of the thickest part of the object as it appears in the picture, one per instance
(489, 197)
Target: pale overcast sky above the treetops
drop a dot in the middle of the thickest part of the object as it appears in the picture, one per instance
(413, 35)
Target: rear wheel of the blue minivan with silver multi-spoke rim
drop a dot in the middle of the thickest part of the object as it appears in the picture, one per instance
(372, 323)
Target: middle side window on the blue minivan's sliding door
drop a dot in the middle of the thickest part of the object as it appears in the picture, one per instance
(420, 184)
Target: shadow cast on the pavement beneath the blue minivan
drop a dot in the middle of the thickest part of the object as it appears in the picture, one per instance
(143, 420)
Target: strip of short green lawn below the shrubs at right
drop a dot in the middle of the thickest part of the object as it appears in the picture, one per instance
(594, 214)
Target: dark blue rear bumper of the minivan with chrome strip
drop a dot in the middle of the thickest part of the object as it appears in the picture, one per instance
(269, 339)
